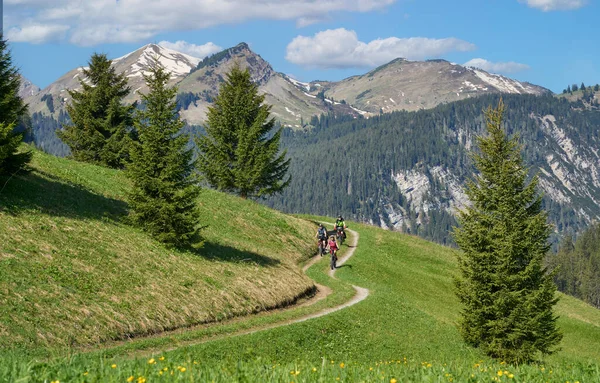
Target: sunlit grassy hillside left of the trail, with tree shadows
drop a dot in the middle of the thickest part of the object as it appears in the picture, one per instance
(73, 273)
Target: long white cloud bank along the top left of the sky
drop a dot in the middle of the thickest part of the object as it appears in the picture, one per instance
(92, 22)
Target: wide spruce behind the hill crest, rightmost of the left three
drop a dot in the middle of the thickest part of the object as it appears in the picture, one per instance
(237, 154)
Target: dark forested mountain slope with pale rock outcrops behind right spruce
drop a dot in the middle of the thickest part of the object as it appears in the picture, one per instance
(405, 170)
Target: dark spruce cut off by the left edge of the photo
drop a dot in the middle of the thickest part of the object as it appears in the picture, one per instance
(13, 109)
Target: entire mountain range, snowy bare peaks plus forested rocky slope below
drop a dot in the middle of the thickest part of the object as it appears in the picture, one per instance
(400, 133)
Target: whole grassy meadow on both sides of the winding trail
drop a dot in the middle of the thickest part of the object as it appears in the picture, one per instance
(405, 331)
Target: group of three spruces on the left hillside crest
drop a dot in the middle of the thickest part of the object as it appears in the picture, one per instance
(238, 154)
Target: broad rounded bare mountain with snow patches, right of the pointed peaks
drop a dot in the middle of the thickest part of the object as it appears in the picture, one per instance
(415, 85)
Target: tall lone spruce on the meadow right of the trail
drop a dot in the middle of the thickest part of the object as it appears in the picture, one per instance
(507, 293)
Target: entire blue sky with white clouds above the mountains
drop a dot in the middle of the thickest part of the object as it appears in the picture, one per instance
(546, 42)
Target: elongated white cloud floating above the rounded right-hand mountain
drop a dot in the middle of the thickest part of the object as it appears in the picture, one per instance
(340, 48)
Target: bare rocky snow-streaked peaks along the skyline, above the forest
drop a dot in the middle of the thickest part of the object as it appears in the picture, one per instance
(398, 85)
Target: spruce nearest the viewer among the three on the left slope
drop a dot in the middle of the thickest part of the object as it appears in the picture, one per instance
(163, 199)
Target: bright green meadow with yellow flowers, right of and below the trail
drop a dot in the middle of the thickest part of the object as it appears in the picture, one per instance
(404, 331)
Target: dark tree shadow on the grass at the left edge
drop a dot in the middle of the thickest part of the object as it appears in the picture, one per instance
(55, 197)
